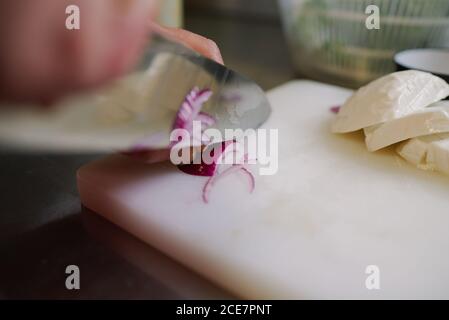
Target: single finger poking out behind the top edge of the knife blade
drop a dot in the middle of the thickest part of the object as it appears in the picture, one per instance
(200, 44)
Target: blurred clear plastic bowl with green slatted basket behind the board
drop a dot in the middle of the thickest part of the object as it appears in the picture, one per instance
(329, 40)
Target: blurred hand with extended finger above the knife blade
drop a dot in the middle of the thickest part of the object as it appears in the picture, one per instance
(41, 60)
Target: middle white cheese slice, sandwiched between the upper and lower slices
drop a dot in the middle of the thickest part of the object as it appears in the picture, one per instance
(434, 119)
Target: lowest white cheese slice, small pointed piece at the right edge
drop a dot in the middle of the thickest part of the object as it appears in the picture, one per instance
(428, 152)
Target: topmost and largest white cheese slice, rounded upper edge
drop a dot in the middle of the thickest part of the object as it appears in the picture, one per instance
(390, 97)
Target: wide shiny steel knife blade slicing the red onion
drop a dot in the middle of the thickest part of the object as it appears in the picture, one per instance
(138, 109)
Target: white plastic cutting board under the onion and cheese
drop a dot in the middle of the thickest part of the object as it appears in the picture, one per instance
(309, 231)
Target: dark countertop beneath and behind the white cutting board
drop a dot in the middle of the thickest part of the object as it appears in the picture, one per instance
(43, 227)
